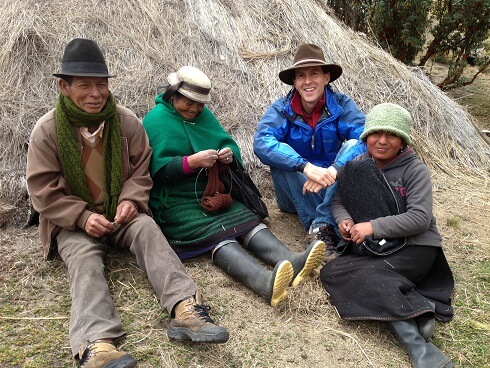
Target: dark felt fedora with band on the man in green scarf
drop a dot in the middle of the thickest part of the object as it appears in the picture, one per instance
(83, 58)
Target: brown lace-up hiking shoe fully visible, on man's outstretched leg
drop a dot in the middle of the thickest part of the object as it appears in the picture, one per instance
(192, 323)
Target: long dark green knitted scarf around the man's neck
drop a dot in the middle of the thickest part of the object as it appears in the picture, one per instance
(68, 115)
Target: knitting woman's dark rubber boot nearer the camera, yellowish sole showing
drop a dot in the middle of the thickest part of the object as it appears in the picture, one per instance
(271, 285)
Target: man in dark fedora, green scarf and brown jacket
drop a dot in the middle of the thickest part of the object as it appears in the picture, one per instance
(88, 177)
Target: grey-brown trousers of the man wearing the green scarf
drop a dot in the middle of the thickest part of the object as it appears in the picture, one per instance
(93, 315)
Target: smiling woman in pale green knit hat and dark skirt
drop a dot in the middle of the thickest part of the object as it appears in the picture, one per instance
(392, 268)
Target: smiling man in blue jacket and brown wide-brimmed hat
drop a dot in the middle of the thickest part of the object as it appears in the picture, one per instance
(305, 137)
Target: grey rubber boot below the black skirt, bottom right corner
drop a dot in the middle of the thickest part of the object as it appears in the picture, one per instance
(422, 353)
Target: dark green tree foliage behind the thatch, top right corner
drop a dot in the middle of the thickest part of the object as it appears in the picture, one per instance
(455, 28)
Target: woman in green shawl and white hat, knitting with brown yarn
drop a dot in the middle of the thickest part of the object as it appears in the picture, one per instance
(188, 200)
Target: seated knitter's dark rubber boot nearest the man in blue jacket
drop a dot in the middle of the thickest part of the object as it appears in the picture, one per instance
(271, 250)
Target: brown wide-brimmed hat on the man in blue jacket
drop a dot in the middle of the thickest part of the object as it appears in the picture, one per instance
(309, 55)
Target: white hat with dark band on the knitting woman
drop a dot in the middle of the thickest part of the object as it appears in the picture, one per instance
(190, 82)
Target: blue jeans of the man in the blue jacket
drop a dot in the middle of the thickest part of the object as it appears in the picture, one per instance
(313, 209)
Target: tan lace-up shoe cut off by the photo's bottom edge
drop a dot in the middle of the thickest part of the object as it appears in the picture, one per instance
(102, 354)
